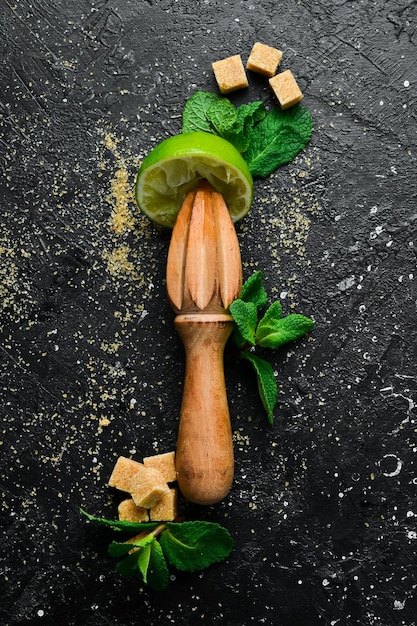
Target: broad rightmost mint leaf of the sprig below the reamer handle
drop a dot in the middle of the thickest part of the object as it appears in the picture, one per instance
(191, 546)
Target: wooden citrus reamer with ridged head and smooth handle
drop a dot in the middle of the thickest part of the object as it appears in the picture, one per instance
(204, 276)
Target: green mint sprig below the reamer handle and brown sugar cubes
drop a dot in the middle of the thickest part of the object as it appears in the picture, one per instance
(186, 546)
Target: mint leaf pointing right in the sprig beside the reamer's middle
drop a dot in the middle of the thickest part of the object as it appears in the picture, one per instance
(273, 332)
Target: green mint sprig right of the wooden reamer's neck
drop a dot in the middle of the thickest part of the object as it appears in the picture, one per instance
(271, 331)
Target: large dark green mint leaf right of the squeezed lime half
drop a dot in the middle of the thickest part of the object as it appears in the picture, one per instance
(277, 139)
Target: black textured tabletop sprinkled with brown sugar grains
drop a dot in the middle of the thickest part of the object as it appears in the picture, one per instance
(323, 509)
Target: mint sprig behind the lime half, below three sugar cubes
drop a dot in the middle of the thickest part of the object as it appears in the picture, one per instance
(265, 139)
